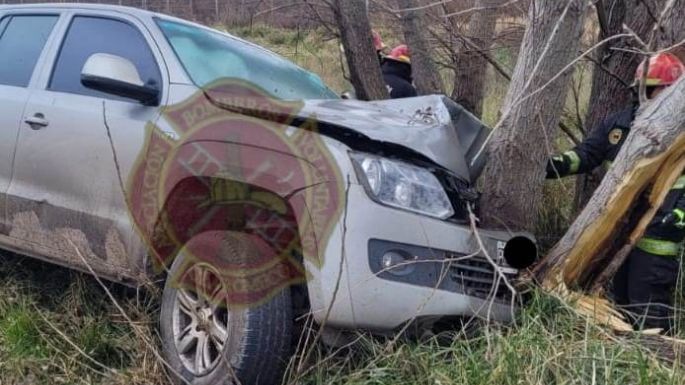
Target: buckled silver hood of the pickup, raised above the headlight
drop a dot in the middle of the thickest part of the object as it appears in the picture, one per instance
(427, 128)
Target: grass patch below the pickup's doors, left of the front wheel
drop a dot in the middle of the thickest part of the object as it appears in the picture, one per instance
(59, 327)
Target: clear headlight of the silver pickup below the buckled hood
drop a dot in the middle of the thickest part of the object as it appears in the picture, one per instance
(402, 185)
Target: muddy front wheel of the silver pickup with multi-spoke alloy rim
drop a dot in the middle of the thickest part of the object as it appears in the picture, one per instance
(258, 339)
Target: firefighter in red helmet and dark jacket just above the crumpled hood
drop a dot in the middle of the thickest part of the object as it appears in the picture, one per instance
(396, 70)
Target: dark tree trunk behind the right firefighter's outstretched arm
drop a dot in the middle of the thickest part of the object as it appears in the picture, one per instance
(616, 70)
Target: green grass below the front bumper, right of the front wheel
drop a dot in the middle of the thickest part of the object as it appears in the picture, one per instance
(548, 344)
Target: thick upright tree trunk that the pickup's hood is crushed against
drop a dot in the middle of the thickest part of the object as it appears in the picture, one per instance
(520, 145)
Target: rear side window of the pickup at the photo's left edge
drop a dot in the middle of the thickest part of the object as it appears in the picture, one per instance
(22, 39)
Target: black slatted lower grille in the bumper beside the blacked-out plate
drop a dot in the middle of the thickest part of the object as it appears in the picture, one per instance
(477, 277)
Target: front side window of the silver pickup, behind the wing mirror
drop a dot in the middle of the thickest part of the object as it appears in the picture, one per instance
(91, 35)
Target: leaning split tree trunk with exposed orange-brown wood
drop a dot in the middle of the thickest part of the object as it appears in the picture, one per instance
(652, 158)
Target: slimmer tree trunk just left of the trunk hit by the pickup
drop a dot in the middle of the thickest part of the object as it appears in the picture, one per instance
(471, 67)
